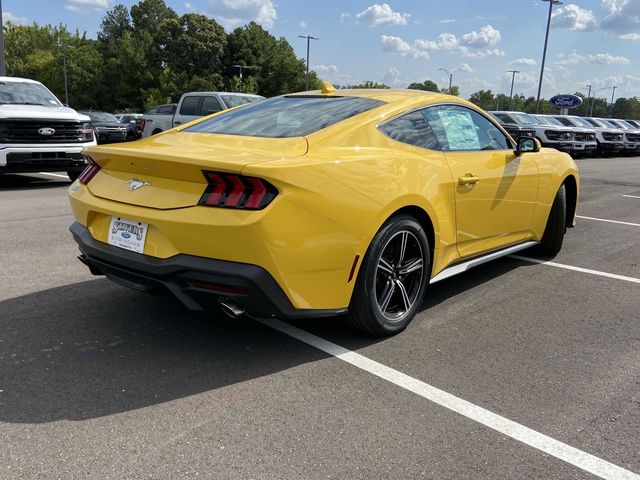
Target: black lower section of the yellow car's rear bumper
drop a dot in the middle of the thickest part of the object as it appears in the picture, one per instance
(198, 282)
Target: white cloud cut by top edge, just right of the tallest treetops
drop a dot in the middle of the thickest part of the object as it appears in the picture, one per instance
(232, 13)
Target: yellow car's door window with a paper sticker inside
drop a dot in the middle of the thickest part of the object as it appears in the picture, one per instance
(461, 128)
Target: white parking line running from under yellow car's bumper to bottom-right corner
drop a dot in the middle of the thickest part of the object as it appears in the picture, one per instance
(560, 450)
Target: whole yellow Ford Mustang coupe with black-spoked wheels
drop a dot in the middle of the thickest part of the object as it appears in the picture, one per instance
(322, 203)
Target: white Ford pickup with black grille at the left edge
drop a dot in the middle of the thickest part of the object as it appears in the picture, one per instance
(38, 133)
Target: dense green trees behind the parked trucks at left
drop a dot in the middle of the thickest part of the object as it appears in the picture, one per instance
(147, 55)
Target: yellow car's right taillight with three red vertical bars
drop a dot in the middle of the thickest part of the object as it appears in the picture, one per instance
(237, 191)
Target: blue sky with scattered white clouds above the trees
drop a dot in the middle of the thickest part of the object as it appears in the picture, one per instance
(592, 41)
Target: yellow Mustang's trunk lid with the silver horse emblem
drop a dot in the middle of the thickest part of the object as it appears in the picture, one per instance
(165, 171)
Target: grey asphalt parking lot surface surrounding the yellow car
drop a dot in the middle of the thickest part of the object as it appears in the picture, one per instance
(98, 381)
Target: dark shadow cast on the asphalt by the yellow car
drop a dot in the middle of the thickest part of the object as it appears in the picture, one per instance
(94, 348)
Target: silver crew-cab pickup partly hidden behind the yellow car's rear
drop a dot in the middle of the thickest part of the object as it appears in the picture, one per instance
(191, 106)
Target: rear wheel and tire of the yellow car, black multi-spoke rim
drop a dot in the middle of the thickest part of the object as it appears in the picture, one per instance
(392, 280)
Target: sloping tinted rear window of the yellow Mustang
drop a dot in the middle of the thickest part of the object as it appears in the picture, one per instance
(284, 117)
